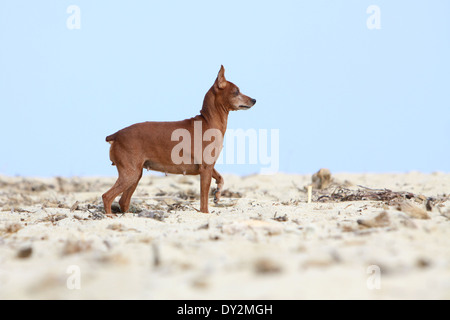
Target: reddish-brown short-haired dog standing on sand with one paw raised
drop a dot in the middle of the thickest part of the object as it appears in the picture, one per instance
(156, 146)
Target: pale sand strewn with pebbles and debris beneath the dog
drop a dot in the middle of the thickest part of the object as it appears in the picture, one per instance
(263, 240)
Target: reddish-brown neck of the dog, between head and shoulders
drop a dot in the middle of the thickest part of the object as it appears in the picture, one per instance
(214, 112)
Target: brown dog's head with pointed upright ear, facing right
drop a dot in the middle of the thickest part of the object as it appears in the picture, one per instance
(229, 95)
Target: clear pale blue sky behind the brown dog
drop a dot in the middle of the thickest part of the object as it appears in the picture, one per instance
(341, 95)
